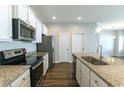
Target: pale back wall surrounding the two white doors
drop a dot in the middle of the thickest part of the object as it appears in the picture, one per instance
(91, 40)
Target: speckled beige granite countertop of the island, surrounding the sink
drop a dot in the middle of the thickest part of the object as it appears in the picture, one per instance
(113, 74)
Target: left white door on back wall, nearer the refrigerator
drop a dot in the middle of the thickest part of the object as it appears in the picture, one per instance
(63, 47)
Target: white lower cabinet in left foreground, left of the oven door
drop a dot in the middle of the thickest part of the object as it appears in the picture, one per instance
(22, 81)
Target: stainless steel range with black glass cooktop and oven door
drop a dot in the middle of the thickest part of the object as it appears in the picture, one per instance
(18, 57)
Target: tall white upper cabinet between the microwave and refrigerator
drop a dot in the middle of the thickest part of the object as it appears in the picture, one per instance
(38, 31)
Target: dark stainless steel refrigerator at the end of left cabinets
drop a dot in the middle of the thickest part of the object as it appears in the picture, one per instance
(47, 45)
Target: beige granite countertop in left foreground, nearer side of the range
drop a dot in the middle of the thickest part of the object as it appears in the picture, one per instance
(8, 73)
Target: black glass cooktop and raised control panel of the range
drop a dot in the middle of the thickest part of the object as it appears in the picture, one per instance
(18, 57)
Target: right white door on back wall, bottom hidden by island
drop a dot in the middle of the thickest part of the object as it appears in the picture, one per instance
(77, 42)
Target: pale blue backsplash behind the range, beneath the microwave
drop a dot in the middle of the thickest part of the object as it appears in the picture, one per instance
(18, 44)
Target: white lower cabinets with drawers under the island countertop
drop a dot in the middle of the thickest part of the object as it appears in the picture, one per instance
(86, 78)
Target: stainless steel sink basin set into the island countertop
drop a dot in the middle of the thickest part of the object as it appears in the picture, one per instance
(93, 60)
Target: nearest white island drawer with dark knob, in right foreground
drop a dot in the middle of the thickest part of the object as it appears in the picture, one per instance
(99, 82)
